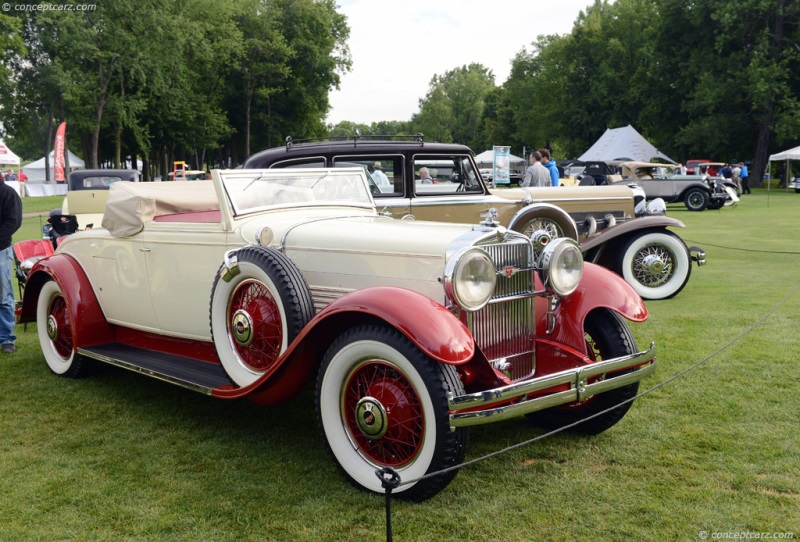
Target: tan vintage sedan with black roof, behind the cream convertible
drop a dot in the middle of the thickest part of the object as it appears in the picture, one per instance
(612, 233)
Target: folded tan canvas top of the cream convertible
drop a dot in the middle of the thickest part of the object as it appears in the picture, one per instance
(131, 205)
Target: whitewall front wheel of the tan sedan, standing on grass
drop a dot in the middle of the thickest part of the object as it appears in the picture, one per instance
(656, 264)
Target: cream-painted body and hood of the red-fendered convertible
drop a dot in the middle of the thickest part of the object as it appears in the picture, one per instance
(156, 280)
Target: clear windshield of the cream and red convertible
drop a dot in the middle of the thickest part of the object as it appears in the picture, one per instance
(258, 190)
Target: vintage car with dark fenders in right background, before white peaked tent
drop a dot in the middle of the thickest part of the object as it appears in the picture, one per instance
(697, 192)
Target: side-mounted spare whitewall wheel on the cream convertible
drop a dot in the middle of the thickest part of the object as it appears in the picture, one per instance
(256, 315)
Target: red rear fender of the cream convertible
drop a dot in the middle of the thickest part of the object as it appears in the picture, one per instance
(78, 292)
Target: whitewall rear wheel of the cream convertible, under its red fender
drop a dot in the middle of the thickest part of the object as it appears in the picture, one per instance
(54, 325)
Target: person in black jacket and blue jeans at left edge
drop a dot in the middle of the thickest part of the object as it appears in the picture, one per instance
(10, 221)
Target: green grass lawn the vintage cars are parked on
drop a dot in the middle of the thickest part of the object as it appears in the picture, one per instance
(120, 456)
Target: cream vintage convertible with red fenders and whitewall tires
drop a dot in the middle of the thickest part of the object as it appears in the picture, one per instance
(258, 281)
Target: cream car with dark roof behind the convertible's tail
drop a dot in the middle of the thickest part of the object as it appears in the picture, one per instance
(82, 208)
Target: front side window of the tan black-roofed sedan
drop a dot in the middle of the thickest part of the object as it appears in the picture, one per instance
(436, 175)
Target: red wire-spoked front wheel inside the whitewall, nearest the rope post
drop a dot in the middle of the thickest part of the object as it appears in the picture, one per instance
(383, 414)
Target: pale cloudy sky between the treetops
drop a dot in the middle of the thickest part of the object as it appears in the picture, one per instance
(397, 46)
